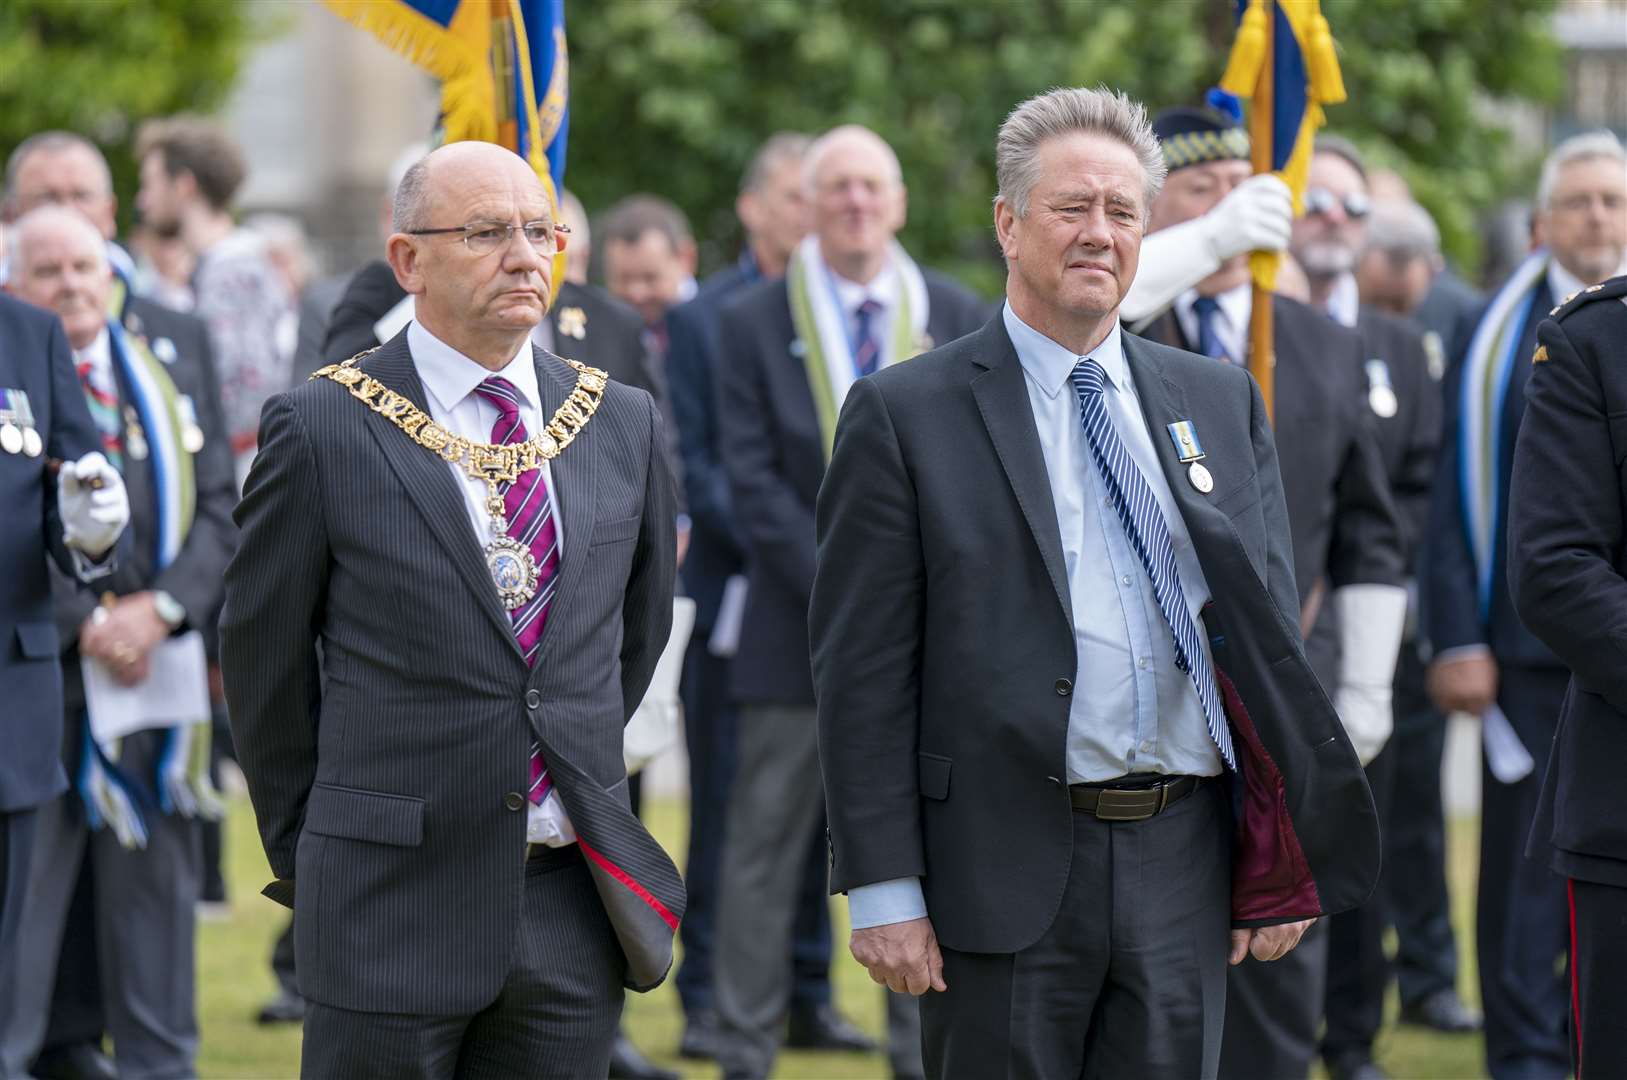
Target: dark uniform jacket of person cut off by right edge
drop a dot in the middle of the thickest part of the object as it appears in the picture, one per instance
(1568, 531)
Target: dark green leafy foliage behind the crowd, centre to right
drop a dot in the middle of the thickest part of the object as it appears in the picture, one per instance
(673, 95)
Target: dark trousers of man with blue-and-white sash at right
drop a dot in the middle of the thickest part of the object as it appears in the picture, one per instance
(1522, 926)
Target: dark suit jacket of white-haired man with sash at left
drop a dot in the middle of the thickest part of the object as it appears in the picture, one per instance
(196, 577)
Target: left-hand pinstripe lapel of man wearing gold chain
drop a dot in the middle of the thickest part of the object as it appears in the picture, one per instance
(430, 482)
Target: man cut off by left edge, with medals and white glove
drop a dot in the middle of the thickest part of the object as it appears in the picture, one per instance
(50, 520)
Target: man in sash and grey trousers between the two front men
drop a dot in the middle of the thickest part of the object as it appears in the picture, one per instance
(852, 303)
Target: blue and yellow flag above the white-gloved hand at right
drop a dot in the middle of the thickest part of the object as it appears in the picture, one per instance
(1304, 77)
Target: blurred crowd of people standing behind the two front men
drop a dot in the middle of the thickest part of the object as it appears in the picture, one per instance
(1392, 383)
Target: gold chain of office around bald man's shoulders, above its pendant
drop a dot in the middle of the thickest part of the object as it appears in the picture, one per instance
(492, 463)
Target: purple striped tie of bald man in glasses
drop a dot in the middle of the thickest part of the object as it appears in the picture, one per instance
(531, 521)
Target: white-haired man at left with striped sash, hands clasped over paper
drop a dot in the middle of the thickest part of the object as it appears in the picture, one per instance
(160, 424)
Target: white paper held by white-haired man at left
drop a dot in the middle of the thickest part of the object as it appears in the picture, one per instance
(175, 692)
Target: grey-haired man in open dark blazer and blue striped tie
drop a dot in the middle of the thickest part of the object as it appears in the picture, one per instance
(1075, 756)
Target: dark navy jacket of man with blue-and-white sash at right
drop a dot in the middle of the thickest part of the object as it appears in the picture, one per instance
(1452, 609)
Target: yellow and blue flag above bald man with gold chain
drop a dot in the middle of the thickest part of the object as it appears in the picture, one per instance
(502, 64)
